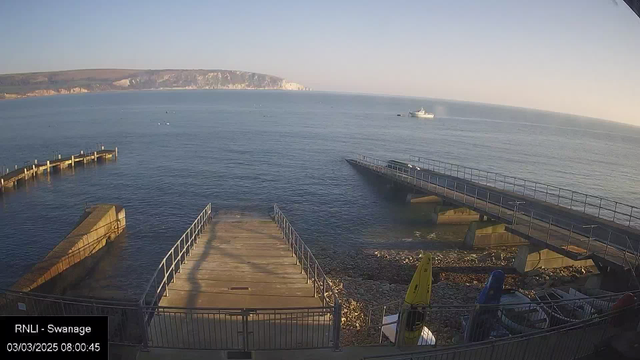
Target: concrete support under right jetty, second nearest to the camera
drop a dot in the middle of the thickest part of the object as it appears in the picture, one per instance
(483, 234)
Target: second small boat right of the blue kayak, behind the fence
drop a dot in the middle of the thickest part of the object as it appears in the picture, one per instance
(562, 307)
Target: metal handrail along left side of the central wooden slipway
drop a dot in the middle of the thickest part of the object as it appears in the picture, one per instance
(184, 246)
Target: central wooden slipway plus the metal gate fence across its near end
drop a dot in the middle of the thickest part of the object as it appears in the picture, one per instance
(241, 288)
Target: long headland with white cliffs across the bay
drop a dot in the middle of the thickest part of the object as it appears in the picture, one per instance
(78, 81)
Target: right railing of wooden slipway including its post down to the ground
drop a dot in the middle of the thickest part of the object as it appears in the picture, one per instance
(309, 265)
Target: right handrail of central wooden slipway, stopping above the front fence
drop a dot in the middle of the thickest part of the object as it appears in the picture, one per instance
(309, 264)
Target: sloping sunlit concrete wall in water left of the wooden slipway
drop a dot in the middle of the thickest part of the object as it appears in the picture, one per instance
(97, 226)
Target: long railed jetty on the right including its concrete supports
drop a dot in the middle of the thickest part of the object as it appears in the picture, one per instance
(588, 239)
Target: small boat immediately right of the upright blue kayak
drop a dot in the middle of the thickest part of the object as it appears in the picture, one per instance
(523, 316)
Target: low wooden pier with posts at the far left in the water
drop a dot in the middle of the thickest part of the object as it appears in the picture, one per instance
(10, 179)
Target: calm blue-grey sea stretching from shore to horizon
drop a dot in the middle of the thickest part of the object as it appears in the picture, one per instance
(245, 150)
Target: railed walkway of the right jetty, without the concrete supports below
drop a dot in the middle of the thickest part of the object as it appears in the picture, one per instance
(563, 236)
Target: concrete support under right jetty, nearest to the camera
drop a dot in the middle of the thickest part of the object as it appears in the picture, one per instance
(530, 257)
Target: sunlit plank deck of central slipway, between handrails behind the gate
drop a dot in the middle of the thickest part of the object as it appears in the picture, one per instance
(241, 262)
